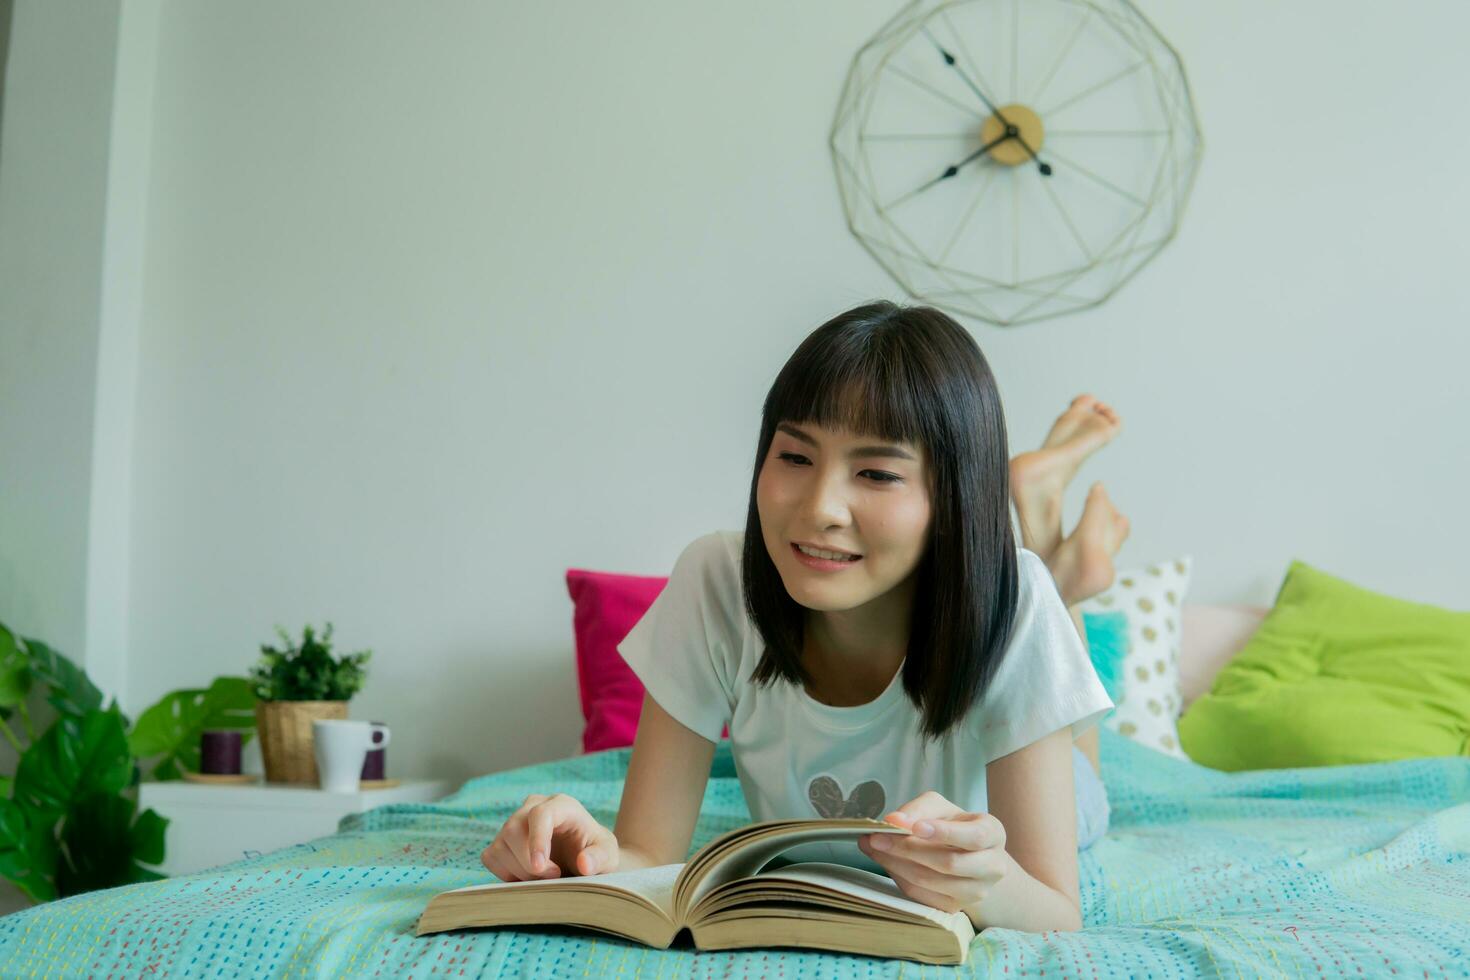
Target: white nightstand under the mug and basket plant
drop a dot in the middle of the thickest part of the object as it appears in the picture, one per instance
(217, 825)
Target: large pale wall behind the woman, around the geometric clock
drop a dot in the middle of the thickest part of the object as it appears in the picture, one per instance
(439, 305)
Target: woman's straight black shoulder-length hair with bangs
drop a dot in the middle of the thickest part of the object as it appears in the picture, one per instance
(914, 375)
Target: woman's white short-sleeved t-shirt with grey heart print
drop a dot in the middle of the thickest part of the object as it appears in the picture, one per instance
(696, 650)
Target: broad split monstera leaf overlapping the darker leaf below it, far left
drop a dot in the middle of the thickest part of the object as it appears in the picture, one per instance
(74, 760)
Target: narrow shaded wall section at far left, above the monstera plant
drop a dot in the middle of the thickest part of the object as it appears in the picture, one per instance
(54, 174)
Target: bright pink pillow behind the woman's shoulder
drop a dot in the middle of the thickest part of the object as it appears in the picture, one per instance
(606, 608)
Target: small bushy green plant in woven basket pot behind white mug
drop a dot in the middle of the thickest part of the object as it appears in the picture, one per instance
(298, 685)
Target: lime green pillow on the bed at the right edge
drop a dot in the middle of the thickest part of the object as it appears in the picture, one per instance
(1337, 675)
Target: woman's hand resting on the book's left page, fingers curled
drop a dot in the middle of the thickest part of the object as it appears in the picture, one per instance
(548, 838)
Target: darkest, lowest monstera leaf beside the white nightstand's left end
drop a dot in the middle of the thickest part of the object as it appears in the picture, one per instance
(104, 843)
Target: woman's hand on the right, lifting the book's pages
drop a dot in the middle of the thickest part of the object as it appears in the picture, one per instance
(952, 862)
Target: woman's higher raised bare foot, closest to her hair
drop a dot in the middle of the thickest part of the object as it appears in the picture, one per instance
(1040, 477)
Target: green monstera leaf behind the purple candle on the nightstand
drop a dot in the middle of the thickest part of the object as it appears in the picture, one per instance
(173, 727)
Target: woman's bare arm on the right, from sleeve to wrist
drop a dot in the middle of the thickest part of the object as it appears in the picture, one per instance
(1033, 794)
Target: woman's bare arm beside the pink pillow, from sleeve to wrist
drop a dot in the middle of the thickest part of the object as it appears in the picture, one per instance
(667, 778)
